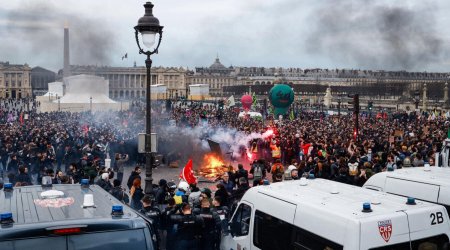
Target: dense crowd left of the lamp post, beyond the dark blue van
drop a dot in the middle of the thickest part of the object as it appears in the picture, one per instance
(44, 143)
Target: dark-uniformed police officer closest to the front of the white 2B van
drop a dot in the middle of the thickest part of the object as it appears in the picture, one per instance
(211, 219)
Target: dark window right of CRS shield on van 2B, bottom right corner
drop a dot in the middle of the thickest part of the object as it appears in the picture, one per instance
(436, 242)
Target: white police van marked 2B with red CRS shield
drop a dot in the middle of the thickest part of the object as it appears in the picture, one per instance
(322, 214)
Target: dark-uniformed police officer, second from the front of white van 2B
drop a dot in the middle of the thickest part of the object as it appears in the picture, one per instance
(189, 228)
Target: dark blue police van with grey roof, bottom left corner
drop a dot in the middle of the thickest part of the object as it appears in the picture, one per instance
(70, 217)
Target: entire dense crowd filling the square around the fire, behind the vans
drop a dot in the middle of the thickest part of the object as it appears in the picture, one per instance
(309, 144)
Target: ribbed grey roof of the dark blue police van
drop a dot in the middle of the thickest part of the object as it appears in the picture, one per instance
(28, 207)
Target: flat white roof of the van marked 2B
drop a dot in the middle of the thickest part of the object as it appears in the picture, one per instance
(342, 200)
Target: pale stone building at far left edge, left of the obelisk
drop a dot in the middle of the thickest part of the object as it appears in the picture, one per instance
(15, 80)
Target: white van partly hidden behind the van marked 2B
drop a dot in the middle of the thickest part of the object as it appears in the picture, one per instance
(425, 183)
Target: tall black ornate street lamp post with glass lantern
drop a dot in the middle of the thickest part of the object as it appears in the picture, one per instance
(148, 27)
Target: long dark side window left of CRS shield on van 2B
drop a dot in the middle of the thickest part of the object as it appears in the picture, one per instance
(273, 233)
